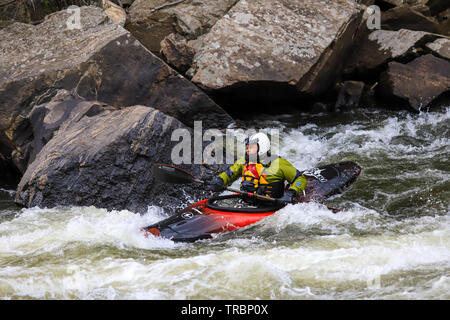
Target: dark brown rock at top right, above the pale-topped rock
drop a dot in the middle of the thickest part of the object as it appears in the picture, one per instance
(405, 17)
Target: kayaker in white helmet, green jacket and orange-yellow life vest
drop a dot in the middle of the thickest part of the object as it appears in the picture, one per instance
(262, 173)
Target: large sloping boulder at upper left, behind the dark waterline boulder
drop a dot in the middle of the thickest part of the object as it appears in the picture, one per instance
(101, 62)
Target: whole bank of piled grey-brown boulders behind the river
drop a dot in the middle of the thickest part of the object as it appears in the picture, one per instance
(87, 105)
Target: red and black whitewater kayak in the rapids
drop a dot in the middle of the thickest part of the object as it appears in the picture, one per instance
(227, 213)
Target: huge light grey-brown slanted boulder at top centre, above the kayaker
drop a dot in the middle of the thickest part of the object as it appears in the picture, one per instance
(280, 41)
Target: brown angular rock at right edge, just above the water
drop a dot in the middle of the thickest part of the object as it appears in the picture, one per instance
(417, 83)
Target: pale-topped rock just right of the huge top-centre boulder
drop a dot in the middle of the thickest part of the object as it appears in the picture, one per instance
(375, 48)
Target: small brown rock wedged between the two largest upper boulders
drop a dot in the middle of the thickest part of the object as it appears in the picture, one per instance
(177, 52)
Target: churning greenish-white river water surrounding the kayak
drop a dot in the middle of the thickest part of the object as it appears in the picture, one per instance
(392, 241)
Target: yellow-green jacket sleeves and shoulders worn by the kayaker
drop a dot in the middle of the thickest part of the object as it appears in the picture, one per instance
(276, 169)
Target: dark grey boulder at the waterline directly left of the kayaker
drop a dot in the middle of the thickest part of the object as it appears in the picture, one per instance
(104, 159)
